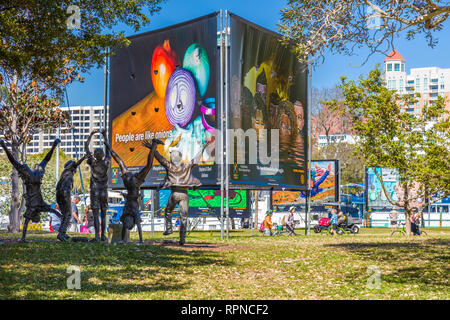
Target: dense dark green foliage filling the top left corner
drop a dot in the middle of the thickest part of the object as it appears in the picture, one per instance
(40, 39)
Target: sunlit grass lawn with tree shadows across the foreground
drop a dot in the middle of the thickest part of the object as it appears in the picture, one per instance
(244, 267)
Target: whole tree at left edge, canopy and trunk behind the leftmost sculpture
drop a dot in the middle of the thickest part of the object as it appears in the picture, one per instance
(45, 46)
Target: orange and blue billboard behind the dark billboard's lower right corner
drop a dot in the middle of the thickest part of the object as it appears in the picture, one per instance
(324, 186)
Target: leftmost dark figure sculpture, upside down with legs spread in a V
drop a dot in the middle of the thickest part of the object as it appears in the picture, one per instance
(32, 179)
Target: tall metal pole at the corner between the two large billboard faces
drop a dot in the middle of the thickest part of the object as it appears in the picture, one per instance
(221, 126)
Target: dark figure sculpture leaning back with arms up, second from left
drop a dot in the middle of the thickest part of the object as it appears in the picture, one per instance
(63, 195)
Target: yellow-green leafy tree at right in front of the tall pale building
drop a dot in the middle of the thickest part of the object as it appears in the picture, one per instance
(417, 147)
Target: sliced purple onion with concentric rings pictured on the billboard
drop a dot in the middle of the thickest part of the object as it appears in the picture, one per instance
(180, 97)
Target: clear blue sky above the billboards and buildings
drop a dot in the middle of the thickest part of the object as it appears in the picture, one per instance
(266, 13)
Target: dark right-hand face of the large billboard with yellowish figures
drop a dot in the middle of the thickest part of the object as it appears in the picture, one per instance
(268, 102)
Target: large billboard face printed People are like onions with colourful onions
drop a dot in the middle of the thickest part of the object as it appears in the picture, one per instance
(164, 85)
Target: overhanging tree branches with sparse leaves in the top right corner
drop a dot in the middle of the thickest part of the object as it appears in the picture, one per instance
(341, 26)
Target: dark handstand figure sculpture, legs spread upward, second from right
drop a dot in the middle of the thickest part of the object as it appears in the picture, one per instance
(132, 182)
